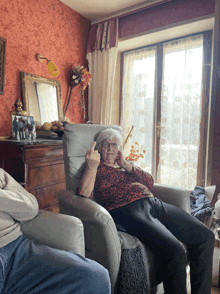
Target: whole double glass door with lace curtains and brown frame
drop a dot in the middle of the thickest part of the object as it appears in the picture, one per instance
(162, 99)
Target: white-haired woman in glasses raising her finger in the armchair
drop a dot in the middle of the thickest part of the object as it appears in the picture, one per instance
(125, 191)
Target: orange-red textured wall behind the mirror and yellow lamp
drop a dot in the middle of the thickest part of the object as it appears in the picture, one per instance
(50, 28)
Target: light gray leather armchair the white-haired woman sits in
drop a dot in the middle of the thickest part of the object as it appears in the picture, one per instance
(101, 236)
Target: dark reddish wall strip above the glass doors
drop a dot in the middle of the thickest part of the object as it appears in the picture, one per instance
(163, 15)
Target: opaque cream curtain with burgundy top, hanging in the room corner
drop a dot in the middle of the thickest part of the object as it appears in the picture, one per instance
(102, 55)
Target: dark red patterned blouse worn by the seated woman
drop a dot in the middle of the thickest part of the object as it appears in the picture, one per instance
(115, 187)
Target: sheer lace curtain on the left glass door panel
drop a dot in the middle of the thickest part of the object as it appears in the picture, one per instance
(138, 102)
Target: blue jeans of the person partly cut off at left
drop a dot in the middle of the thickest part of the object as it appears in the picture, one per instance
(29, 268)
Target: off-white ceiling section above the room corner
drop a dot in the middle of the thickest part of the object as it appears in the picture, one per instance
(97, 10)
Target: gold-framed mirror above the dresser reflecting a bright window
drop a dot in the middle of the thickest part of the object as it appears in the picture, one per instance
(41, 98)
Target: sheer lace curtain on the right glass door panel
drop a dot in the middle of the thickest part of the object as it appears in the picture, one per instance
(181, 111)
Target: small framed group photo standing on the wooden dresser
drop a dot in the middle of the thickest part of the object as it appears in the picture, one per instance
(23, 127)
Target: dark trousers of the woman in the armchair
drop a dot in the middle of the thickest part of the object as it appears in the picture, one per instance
(164, 227)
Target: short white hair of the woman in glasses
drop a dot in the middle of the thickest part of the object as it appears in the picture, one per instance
(107, 135)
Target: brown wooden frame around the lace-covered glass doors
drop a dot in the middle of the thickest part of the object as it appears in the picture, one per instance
(203, 154)
